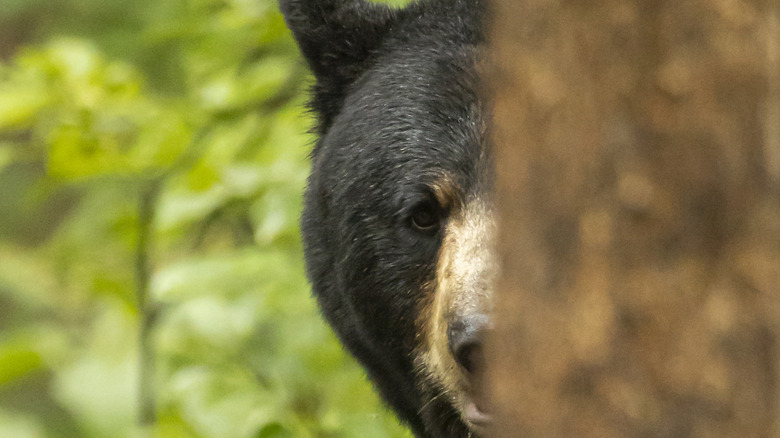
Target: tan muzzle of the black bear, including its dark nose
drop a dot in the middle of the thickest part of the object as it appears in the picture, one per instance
(457, 319)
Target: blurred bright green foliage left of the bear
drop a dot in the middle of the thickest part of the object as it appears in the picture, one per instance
(152, 158)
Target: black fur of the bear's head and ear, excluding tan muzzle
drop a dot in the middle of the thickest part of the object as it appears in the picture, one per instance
(396, 97)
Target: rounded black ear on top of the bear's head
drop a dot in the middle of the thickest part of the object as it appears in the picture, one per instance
(337, 38)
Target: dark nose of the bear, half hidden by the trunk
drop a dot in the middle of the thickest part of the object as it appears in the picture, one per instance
(465, 337)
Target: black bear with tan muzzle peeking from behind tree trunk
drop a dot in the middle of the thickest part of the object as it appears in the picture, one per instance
(397, 219)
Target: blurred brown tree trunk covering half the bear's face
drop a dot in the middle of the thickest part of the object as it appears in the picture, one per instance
(638, 148)
